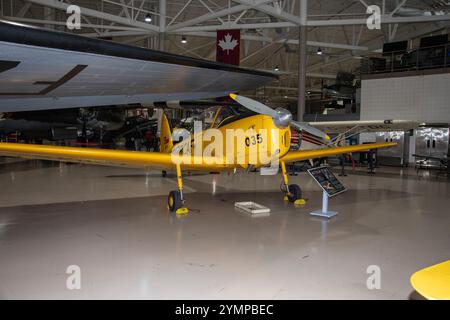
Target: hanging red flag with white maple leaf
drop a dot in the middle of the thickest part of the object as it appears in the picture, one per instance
(228, 46)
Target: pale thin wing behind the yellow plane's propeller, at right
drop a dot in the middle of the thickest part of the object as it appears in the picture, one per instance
(349, 127)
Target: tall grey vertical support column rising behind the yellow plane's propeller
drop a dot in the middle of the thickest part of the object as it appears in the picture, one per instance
(302, 59)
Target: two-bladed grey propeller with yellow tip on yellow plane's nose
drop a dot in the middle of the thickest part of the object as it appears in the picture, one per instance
(281, 117)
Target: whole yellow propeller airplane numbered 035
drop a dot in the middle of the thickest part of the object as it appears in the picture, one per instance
(258, 119)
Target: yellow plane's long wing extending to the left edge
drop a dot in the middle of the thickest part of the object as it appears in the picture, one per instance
(108, 157)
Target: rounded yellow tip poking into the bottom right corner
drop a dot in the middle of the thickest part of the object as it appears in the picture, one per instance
(433, 282)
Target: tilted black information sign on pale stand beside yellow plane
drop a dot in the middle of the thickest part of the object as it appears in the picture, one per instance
(331, 187)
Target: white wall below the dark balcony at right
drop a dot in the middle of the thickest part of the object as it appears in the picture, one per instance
(420, 98)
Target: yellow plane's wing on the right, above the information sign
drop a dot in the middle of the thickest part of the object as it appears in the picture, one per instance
(320, 153)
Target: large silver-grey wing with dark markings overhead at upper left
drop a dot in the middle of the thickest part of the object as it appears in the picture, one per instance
(41, 69)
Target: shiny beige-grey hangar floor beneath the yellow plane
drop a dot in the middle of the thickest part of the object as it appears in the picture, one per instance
(113, 224)
